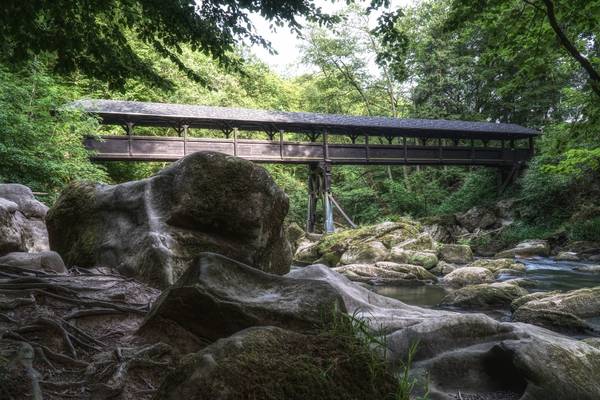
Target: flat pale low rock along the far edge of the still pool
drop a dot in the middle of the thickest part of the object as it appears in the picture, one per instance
(385, 272)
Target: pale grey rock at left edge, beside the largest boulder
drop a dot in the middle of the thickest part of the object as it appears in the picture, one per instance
(22, 225)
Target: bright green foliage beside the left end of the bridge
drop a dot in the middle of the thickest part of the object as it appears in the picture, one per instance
(41, 143)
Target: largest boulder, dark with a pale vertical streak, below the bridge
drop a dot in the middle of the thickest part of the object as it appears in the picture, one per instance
(154, 228)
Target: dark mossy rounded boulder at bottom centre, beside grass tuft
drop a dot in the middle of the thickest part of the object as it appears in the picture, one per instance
(271, 363)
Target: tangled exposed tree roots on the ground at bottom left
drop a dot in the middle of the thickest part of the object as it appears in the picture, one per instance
(81, 329)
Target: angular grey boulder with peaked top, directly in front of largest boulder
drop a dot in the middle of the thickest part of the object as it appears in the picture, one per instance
(217, 297)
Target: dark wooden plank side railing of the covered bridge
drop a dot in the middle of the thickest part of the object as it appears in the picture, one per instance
(153, 148)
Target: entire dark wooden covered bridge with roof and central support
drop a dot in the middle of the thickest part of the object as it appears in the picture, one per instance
(330, 140)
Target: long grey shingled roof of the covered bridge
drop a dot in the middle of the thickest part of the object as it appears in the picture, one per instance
(209, 117)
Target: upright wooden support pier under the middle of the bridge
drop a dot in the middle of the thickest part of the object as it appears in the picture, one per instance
(319, 188)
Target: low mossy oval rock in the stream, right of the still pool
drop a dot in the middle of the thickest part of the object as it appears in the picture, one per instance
(493, 295)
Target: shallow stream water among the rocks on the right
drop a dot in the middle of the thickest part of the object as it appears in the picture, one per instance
(547, 273)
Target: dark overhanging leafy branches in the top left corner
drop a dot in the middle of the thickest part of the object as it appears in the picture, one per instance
(95, 37)
